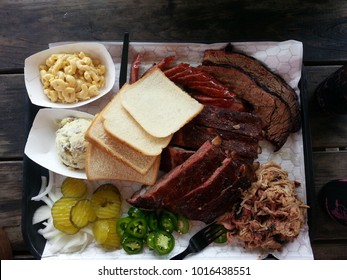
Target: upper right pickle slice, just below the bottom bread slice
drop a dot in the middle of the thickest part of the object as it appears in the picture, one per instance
(106, 201)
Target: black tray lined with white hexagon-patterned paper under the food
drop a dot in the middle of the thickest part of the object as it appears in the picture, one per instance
(284, 58)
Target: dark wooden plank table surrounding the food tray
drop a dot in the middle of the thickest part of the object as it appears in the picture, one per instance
(29, 26)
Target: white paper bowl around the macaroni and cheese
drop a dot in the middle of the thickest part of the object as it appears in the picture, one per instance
(32, 72)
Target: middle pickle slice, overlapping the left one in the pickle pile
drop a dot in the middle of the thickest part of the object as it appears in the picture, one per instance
(82, 213)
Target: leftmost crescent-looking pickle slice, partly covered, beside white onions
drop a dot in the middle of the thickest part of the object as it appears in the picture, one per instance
(61, 215)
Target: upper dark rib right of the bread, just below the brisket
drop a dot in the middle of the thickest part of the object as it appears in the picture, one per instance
(247, 124)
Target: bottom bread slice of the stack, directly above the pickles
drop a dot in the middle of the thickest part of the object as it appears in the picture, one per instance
(100, 166)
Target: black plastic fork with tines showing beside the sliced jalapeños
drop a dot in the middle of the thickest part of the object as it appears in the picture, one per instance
(201, 240)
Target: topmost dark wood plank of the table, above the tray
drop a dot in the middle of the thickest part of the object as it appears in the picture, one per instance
(34, 24)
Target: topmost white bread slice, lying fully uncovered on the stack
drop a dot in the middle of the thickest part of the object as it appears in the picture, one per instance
(158, 105)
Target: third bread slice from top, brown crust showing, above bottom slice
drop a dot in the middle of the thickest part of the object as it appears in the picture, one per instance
(97, 135)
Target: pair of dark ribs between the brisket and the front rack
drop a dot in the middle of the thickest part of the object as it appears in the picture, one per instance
(240, 132)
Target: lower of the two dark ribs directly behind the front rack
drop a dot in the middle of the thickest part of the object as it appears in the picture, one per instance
(191, 136)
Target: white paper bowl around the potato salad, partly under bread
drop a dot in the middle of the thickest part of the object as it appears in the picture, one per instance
(40, 146)
